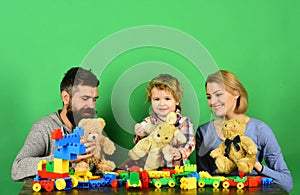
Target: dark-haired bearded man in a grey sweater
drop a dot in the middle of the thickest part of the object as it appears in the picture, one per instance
(79, 92)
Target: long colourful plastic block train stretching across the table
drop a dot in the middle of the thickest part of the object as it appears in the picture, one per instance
(56, 175)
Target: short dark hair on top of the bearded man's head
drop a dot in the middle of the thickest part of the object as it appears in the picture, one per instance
(78, 76)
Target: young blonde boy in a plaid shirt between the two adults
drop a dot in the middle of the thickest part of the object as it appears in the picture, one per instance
(165, 93)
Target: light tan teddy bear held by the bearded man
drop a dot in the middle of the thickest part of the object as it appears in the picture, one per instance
(93, 128)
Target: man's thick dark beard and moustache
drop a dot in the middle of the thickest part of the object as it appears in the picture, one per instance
(75, 116)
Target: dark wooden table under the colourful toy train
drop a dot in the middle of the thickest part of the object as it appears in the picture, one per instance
(269, 190)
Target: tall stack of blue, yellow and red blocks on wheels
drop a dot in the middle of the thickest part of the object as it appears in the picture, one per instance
(56, 174)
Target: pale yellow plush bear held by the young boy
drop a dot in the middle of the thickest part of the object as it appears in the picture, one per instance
(157, 143)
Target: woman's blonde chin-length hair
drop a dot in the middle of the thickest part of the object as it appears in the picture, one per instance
(231, 84)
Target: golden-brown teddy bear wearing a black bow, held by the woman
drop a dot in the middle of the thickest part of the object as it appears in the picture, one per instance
(237, 151)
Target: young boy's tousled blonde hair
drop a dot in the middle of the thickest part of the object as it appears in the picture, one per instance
(168, 83)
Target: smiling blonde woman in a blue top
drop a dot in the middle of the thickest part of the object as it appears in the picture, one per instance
(228, 99)
